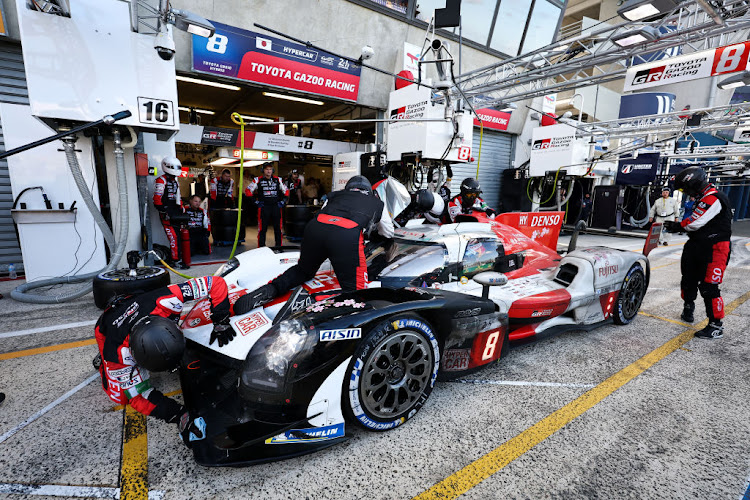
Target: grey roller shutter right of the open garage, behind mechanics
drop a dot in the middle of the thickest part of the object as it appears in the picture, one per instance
(496, 156)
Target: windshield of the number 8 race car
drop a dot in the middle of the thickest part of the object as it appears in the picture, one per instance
(405, 262)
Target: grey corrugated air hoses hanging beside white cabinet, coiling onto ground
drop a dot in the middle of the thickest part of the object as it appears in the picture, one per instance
(20, 293)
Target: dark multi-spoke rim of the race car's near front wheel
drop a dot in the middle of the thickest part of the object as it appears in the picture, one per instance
(396, 374)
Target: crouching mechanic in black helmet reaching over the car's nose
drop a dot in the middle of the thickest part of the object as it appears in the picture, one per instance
(138, 335)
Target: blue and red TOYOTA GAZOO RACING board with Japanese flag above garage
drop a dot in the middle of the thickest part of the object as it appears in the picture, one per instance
(259, 58)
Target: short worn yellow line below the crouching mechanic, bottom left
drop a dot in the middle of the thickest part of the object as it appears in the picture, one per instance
(134, 465)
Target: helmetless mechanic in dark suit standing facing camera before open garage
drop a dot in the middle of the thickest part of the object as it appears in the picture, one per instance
(270, 198)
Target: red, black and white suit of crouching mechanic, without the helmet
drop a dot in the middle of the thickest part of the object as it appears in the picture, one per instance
(123, 380)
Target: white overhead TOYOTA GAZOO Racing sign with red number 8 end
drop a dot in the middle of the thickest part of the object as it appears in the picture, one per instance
(703, 64)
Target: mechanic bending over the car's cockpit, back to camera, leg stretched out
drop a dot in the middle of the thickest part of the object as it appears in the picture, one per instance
(336, 234)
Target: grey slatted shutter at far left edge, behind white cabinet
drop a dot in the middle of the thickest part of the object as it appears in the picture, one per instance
(13, 90)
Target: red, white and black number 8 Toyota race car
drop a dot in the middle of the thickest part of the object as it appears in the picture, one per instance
(443, 301)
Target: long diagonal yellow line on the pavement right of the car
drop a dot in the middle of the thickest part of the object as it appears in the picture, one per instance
(484, 467)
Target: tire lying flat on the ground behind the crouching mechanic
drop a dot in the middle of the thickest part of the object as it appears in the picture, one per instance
(119, 282)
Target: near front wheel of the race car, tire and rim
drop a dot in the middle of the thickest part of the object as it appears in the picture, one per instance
(392, 373)
